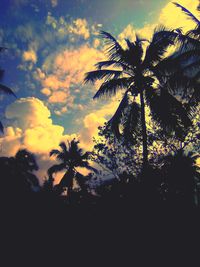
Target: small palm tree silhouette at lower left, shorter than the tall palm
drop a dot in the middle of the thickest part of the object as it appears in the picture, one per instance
(71, 157)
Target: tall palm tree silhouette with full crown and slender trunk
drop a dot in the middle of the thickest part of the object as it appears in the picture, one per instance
(136, 70)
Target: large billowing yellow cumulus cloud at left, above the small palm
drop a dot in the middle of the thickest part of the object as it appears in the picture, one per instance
(31, 127)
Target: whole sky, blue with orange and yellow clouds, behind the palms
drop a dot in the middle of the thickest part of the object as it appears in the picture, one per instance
(50, 45)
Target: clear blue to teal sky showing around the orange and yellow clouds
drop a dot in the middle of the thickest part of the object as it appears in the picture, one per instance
(24, 25)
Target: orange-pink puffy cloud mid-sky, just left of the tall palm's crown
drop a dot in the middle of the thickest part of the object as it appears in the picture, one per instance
(62, 74)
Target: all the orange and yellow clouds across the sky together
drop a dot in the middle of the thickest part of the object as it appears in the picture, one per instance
(61, 80)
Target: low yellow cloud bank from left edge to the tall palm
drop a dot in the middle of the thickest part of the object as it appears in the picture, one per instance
(32, 128)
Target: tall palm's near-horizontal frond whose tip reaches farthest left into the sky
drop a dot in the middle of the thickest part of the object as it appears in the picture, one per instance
(93, 76)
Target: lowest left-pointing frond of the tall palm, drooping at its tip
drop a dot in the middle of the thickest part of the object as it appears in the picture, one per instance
(112, 86)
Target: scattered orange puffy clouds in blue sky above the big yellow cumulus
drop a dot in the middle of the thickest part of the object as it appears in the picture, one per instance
(57, 57)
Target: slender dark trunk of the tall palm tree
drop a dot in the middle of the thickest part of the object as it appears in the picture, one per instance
(144, 130)
